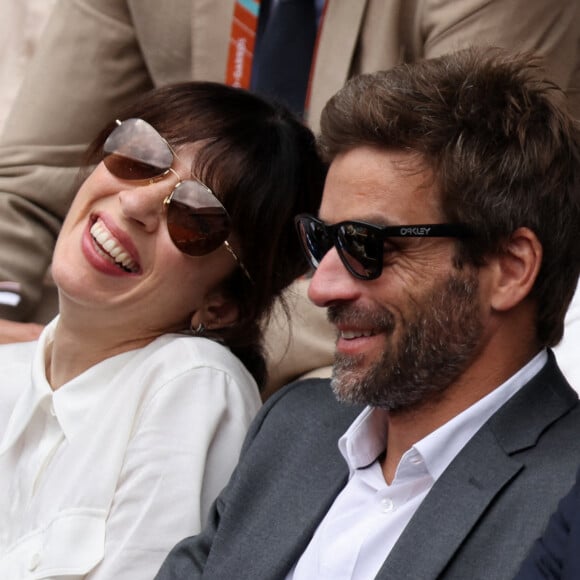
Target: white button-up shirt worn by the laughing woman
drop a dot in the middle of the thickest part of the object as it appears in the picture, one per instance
(102, 477)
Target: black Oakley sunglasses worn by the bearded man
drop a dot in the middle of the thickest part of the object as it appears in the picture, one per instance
(361, 245)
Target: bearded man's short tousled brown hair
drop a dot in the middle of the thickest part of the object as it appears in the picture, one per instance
(502, 147)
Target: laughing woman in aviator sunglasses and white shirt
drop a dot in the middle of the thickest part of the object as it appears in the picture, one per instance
(118, 428)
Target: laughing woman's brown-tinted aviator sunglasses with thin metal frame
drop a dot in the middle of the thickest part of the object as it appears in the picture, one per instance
(197, 221)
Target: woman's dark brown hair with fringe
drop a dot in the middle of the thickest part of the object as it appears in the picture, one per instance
(262, 163)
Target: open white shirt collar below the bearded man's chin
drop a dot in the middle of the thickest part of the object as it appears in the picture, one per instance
(365, 439)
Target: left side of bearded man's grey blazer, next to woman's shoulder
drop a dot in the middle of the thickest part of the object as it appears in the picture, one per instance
(289, 417)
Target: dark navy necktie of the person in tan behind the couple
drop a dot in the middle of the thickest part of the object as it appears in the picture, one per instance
(284, 46)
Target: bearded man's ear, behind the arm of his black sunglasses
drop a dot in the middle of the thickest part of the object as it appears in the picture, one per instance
(515, 270)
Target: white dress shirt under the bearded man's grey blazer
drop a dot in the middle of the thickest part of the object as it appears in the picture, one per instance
(368, 516)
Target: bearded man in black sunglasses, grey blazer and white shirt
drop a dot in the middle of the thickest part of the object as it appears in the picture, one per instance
(446, 251)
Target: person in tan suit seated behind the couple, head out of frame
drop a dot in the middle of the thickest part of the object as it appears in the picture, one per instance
(97, 55)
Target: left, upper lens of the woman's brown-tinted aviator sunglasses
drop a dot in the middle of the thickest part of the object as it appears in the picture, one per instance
(135, 150)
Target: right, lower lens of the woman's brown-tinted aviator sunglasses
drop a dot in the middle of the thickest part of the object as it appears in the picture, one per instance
(196, 220)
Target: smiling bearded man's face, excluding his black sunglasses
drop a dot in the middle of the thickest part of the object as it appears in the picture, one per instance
(406, 336)
